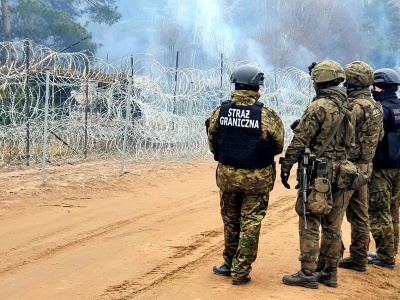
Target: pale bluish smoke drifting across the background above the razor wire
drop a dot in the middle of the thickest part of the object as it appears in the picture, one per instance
(241, 30)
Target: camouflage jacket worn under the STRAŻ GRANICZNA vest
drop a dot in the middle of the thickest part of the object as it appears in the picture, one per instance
(257, 180)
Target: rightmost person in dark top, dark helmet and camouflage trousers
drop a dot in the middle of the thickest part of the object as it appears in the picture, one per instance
(384, 186)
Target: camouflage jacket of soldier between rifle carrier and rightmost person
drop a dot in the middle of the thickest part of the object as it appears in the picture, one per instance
(369, 126)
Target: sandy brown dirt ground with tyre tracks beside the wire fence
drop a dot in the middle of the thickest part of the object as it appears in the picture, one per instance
(153, 232)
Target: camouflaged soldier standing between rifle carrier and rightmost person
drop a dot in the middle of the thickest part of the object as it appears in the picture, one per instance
(368, 132)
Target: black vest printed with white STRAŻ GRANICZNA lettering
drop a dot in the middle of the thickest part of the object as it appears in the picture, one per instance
(239, 140)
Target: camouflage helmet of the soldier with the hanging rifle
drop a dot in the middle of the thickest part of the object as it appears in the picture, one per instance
(327, 70)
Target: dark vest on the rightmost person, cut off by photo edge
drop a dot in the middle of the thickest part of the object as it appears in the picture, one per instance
(388, 151)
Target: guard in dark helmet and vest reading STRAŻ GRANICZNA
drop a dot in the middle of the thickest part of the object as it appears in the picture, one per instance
(244, 135)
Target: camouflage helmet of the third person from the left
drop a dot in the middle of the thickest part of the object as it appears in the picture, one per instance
(359, 73)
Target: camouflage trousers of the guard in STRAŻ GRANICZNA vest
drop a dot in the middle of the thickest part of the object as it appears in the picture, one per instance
(242, 214)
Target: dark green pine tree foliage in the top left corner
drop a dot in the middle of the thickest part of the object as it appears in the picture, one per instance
(56, 23)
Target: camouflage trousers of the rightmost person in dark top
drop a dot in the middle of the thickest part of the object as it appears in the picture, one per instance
(384, 190)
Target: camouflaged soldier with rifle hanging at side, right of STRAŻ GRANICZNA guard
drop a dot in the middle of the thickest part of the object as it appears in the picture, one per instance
(318, 145)
